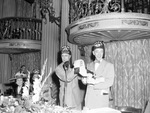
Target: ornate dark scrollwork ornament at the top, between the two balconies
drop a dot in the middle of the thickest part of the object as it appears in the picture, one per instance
(46, 6)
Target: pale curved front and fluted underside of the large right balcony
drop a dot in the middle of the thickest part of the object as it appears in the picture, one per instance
(109, 27)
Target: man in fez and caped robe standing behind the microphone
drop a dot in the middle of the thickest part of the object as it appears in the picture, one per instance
(69, 91)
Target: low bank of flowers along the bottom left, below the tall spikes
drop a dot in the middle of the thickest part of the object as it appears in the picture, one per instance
(13, 105)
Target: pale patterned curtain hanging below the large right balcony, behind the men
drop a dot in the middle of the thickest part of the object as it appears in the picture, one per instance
(132, 68)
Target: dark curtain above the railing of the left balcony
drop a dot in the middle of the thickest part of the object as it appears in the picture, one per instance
(19, 8)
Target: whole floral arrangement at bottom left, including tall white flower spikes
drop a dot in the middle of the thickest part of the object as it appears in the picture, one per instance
(38, 102)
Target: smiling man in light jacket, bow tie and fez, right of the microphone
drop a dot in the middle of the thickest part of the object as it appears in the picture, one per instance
(98, 83)
